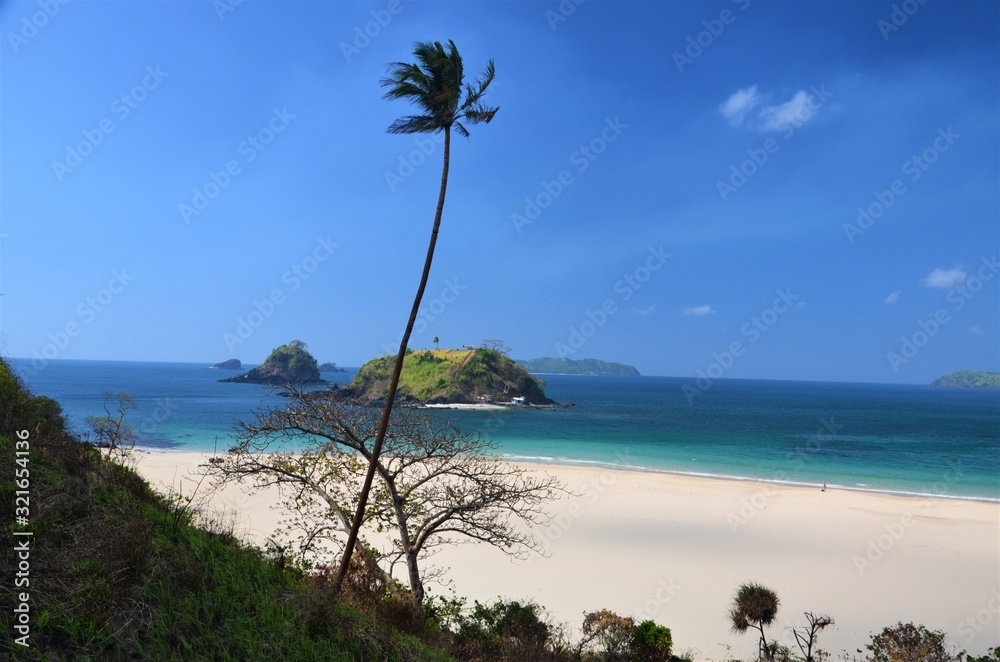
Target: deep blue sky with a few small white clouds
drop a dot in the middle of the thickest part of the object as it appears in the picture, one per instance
(779, 190)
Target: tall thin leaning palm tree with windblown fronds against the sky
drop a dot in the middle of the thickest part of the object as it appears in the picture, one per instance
(435, 85)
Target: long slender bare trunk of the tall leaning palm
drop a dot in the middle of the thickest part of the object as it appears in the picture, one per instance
(352, 537)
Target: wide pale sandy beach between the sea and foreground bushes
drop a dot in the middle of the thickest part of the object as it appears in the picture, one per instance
(675, 549)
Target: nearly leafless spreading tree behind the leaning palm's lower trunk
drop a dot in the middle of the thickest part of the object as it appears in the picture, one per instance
(438, 485)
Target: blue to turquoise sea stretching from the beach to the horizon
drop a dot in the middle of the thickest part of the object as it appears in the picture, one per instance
(900, 438)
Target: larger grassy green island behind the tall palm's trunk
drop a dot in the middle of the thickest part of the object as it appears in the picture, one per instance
(451, 377)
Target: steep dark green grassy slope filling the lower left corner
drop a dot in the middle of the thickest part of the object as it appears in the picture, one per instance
(117, 571)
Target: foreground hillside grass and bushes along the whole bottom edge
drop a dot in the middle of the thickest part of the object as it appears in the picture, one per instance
(117, 571)
